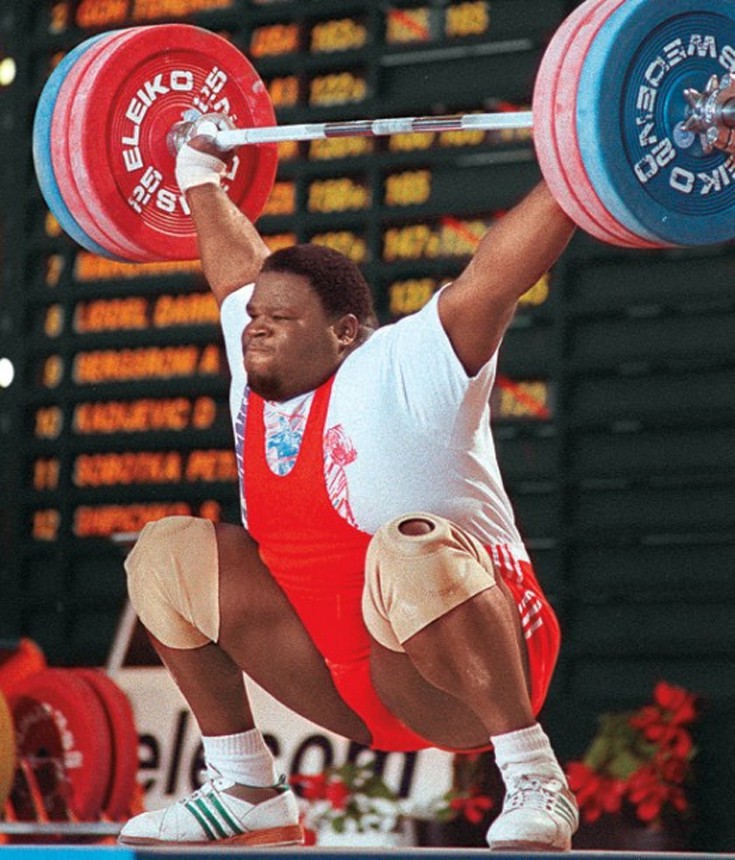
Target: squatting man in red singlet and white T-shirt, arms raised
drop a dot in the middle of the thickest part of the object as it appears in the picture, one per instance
(379, 586)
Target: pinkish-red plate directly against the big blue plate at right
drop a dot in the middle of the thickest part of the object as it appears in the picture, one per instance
(568, 132)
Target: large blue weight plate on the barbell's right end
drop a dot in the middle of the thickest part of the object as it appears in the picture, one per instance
(658, 183)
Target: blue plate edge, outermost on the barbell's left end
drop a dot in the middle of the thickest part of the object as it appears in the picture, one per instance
(42, 149)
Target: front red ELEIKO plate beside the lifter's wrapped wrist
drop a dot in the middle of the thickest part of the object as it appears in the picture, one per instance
(135, 91)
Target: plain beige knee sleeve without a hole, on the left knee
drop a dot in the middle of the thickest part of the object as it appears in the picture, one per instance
(173, 581)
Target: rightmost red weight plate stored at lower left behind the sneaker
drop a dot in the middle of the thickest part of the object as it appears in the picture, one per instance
(124, 742)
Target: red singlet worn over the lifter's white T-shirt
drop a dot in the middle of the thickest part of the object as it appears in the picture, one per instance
(318, 559)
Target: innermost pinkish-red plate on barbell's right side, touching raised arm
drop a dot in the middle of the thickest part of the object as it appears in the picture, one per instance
(556, 155)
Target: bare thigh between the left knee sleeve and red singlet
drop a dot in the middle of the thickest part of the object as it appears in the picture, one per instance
(261, 631)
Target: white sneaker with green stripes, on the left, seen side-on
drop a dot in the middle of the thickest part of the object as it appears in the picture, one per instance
(211, 815)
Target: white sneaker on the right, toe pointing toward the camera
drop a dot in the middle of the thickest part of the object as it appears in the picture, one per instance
(539, 813)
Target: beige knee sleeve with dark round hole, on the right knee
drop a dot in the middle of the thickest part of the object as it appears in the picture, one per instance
(411, 581)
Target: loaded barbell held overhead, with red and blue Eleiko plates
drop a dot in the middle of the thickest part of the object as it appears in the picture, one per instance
(633, 118)
